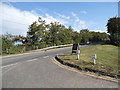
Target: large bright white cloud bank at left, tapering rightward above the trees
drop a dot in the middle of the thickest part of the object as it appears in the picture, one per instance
(17, 22)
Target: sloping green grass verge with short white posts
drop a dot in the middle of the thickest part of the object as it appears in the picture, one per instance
(107, 58)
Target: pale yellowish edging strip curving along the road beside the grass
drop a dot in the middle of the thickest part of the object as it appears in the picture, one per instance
(84, 72)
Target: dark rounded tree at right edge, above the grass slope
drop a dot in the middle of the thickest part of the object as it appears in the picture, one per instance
(113, 28)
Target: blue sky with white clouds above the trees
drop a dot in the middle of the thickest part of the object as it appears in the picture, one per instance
(17, 16)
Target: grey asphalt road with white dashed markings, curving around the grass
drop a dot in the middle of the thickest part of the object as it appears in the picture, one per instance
(36, 70)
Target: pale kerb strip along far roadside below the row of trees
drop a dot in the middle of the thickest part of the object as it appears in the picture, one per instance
(34, 51)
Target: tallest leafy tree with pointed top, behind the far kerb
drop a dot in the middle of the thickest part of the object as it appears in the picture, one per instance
(36, 33)
